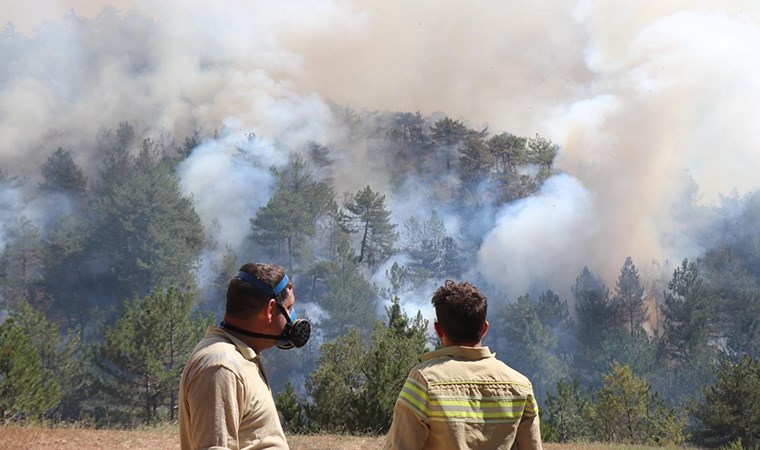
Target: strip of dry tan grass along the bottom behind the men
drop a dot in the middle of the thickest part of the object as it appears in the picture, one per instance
(29, 438)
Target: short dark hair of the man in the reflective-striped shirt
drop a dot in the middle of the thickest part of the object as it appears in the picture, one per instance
(461, 310)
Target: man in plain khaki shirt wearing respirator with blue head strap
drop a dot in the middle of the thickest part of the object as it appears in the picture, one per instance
(225, 401)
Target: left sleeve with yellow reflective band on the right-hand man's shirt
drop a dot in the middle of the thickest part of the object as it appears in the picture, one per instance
(410, 426)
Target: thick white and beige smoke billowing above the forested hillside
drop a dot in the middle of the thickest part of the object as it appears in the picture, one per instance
(645, 101)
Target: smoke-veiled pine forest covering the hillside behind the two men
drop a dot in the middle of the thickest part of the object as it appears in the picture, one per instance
(103, 300)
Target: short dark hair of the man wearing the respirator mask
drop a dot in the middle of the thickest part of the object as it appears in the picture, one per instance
(245, 300)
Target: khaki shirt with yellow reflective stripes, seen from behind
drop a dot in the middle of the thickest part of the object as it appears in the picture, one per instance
(464, 398)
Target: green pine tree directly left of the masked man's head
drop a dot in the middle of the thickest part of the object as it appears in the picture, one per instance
(144, 352)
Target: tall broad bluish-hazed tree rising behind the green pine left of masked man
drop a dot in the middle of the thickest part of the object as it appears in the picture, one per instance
(150, 231)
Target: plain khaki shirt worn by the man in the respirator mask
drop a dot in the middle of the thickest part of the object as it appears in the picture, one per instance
(224, 398)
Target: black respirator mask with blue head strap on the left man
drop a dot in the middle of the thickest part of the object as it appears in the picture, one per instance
(296, 332)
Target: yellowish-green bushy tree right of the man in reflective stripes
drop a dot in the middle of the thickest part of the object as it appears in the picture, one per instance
(627, 412)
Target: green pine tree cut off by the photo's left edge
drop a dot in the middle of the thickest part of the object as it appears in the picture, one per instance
(27, 389)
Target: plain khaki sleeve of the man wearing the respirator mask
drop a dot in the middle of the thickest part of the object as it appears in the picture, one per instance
(214, 398)
